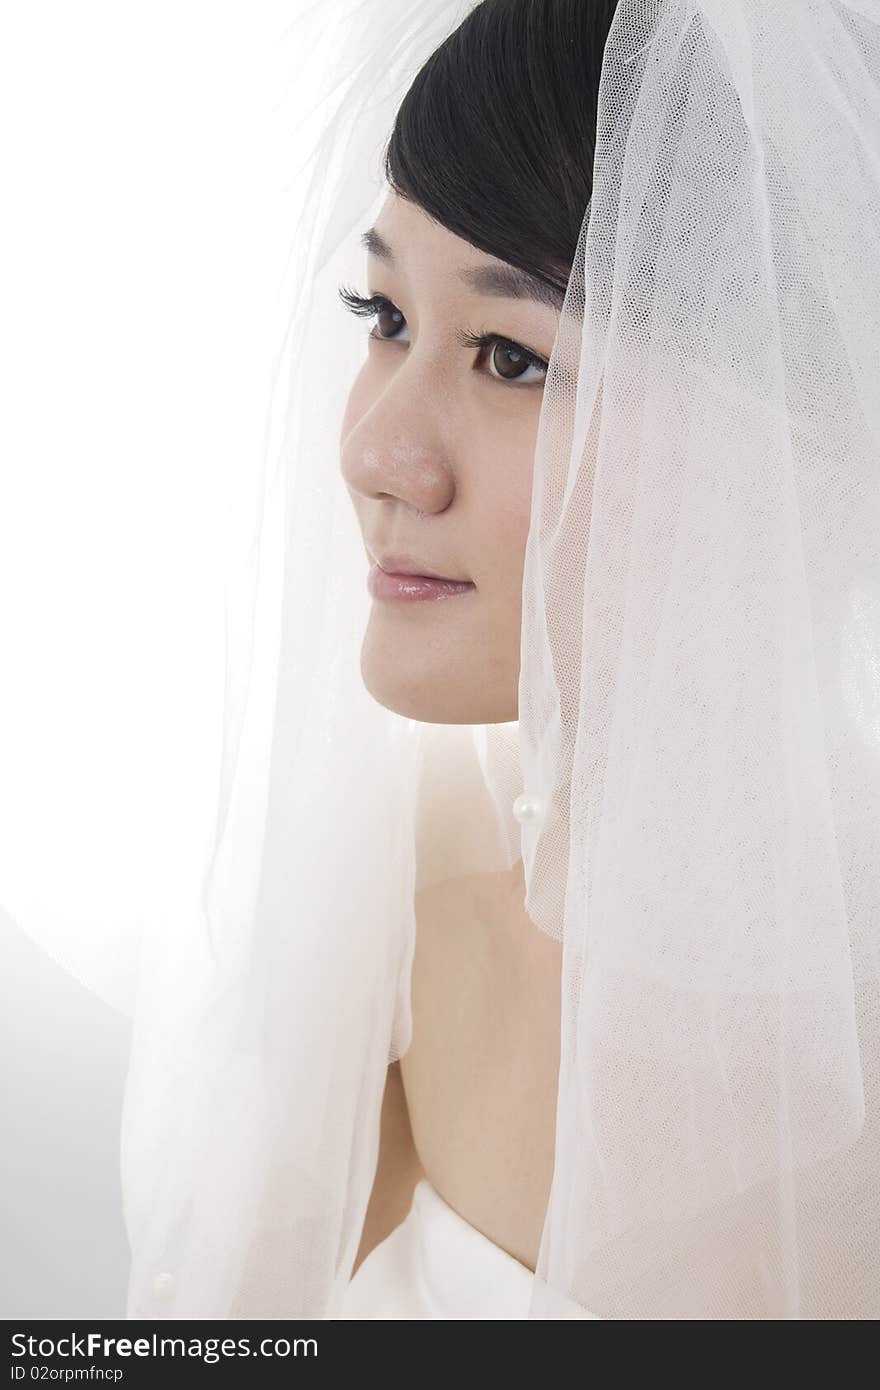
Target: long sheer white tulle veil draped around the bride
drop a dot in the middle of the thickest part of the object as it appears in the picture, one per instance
(699, 737)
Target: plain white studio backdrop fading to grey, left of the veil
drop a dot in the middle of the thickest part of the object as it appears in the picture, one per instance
(149, 177)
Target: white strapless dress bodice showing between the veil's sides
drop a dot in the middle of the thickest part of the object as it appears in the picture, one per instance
(437, 1266)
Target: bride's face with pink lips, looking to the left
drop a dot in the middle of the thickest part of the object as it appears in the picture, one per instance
(437, 452)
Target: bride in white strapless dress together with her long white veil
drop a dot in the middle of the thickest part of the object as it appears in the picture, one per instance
(535, 970)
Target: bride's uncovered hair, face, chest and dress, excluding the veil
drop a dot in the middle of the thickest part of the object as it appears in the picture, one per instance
(437, 452)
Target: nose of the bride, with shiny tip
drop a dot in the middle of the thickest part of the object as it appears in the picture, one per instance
(396, 448)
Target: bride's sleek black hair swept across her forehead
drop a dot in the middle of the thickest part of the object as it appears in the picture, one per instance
(497, 134)
